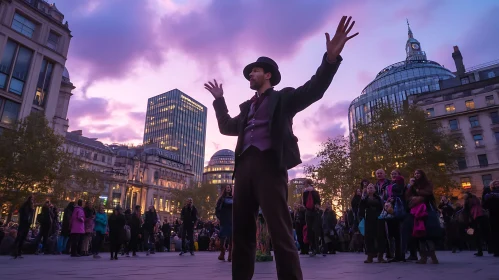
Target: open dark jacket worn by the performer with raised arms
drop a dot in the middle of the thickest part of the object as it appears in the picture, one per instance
(283, 106)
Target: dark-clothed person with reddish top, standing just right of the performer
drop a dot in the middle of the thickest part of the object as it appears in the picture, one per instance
(312, 202)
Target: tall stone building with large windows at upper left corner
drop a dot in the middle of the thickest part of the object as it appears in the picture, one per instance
(34, 44)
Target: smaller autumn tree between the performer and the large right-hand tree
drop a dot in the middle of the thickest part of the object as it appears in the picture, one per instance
(333, 175)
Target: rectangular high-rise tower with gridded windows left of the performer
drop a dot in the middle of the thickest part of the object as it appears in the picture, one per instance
(176, 122)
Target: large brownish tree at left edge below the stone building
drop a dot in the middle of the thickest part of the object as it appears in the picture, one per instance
(30, 153)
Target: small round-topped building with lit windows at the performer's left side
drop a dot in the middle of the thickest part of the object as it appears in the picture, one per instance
(220, 168)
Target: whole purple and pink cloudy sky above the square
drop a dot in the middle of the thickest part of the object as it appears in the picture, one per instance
(124, 52)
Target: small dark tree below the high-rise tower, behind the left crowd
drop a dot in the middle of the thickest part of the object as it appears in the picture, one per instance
(204, 197)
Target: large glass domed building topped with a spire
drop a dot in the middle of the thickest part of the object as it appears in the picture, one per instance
(392, 85)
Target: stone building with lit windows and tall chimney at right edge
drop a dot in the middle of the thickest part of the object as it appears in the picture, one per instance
(467, 107)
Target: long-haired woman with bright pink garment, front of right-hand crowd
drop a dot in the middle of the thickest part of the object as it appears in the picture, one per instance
(421, 203)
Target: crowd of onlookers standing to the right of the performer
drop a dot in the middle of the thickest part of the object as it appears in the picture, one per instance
(389, 218)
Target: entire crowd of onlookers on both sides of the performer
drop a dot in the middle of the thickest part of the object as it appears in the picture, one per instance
(386, 220)
